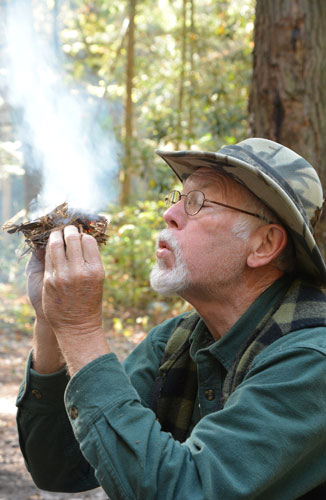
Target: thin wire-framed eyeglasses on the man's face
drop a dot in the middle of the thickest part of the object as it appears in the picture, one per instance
(194, 202)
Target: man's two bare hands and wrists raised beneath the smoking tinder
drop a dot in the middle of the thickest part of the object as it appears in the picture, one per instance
(65, 286)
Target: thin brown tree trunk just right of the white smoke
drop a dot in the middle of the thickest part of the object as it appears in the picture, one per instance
(125, 174)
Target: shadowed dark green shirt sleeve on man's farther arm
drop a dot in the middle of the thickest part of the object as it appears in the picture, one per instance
(51, 453)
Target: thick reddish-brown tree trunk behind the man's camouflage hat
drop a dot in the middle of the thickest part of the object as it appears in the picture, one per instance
(288, 99)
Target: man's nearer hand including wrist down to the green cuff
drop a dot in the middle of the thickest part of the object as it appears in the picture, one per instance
(72, 295)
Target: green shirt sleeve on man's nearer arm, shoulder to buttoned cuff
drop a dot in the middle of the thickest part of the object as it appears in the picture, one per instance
(268, 442)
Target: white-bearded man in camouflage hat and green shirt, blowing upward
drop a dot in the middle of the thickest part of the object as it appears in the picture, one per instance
(225, 402)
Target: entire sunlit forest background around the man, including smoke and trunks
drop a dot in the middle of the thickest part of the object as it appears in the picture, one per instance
(88, 90)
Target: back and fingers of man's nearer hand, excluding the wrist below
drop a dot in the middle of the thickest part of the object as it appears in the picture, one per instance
(73, 283)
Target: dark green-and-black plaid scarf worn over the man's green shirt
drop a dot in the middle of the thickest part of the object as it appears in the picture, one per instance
(175, 390)
